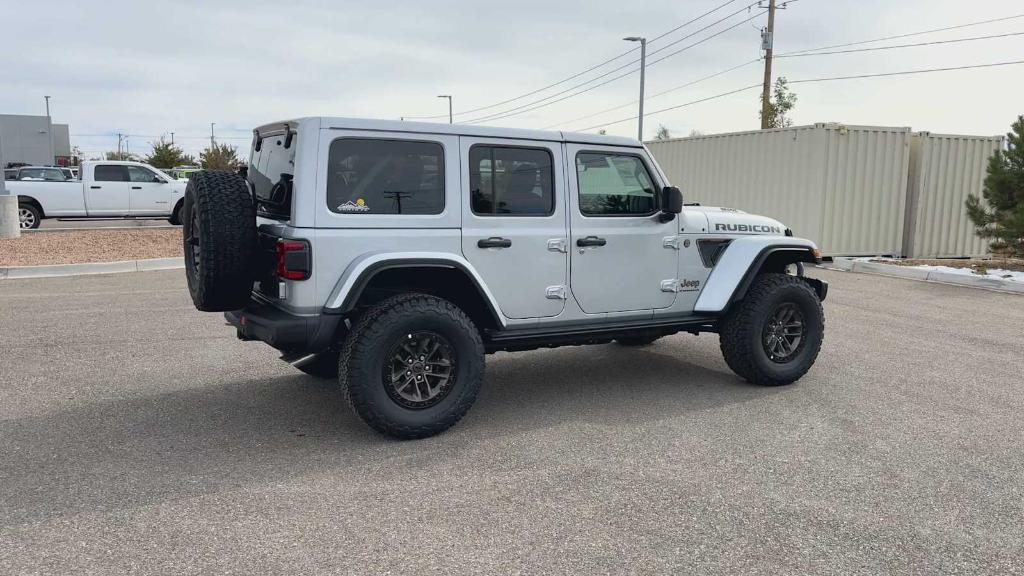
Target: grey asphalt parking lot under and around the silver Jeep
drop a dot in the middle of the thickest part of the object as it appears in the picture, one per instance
(138, 435)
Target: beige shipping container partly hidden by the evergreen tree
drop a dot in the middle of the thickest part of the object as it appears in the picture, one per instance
(945, 170)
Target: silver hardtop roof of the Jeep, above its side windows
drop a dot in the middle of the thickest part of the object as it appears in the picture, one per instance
(454, 130)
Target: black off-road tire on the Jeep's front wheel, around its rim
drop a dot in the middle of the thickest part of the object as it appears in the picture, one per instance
(742, 333)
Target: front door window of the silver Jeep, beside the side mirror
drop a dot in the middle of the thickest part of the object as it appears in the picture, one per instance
(615, 185)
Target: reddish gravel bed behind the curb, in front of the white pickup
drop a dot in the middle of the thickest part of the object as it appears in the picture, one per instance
(90, 246)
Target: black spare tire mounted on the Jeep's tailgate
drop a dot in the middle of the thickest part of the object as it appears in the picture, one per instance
(220, 239)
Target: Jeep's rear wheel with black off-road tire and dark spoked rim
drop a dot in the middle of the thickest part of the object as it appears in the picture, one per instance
(412, 366)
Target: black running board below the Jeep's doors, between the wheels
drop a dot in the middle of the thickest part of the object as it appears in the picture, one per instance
(520, 340)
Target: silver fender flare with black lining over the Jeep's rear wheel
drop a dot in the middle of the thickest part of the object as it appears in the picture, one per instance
(359, 274)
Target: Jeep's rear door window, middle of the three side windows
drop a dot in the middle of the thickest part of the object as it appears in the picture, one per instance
(511, 181)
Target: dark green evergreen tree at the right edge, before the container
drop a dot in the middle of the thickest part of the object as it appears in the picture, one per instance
(1001, 217)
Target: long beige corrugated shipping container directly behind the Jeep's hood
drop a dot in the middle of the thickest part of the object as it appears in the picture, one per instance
(842, 187)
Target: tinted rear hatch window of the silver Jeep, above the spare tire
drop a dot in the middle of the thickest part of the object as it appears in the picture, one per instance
(272, 168)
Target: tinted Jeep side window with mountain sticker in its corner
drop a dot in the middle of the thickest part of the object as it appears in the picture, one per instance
(378, 177)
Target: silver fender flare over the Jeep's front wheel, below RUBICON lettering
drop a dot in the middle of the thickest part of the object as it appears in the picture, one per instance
(740, 265)
